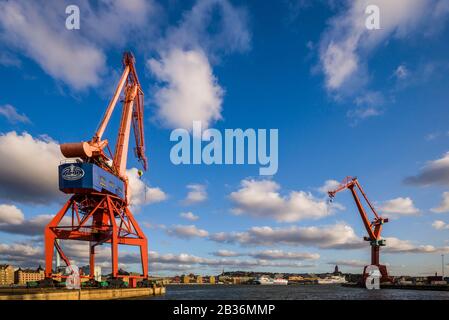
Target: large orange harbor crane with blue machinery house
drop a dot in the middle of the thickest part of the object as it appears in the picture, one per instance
(98, 210)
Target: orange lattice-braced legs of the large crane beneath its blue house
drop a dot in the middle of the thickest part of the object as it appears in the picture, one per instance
(97, 218)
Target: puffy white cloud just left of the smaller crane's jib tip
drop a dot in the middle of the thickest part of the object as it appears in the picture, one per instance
(262, 199)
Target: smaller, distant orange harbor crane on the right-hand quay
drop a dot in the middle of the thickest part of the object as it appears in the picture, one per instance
(373, 228)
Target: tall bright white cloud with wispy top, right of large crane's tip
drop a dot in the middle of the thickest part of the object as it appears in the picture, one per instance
(188, 89)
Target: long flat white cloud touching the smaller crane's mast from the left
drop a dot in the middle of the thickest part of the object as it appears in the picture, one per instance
(338, 236)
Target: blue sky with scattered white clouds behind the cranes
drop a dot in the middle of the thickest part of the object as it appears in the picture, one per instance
(346, 101)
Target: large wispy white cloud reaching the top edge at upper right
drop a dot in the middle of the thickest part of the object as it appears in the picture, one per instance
(347, 43)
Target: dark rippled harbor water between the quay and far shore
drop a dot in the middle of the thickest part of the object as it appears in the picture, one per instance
(293, 292)
